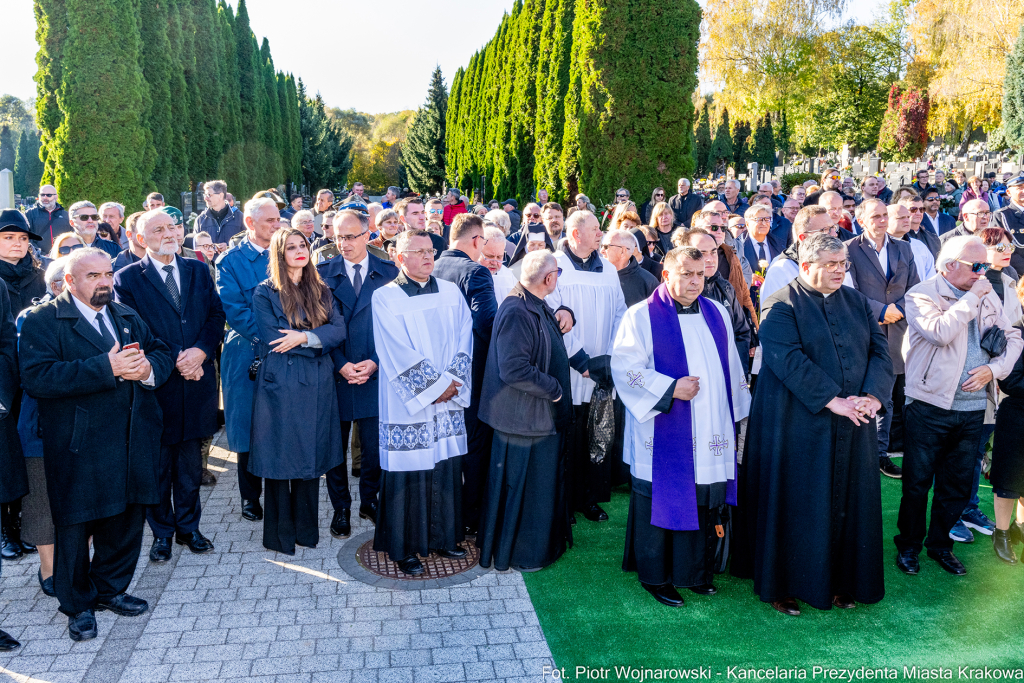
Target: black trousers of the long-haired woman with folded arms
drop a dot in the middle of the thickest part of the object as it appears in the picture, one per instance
(291, 515)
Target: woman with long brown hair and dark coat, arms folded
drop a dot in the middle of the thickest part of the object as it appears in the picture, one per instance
(296, 435)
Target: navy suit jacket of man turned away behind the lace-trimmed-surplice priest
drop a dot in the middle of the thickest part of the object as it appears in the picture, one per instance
(478, 287)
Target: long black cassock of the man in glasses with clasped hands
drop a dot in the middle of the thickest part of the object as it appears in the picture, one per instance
(810, 502)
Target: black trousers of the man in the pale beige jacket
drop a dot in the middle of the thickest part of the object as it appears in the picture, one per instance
(942, 446)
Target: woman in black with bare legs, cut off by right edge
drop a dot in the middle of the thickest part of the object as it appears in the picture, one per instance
(1007, 477)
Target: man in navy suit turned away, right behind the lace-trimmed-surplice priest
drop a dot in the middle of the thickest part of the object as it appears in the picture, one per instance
(459, 265)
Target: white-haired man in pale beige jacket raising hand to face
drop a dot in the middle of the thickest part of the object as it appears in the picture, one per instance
(959, 344)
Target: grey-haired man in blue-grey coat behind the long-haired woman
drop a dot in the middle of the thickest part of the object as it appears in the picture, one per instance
(239, 272)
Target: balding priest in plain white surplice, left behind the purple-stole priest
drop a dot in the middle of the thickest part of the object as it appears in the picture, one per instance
(588, 286)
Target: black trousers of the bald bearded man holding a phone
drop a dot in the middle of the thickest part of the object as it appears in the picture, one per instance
(117, 541)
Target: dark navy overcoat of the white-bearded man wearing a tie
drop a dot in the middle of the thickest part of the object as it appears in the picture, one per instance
(190, 407)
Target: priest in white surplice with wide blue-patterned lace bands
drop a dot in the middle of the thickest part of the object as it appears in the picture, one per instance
(423, 332)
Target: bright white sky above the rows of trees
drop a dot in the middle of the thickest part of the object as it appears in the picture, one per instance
(380, 63)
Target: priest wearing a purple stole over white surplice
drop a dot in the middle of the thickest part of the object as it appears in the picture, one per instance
(676, 368)
